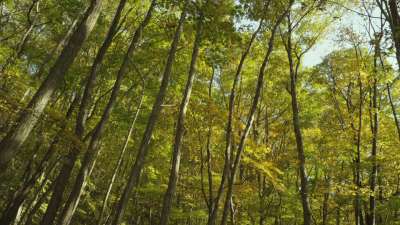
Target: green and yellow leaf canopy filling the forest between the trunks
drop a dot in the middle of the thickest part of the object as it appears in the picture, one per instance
(268, 181)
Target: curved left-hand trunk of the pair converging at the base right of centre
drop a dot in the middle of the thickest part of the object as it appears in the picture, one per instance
(225, 173)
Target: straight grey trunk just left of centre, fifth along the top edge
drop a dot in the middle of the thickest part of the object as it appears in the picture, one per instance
(173, 179)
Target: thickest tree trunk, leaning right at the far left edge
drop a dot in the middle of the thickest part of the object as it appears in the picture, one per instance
(9, 146)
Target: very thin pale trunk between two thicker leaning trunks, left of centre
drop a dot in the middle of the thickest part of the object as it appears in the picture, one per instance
(120, 158)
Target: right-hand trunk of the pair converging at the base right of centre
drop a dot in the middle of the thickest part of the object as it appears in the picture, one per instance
(251, 117)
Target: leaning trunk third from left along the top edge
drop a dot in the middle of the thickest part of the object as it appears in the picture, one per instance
(80, 182)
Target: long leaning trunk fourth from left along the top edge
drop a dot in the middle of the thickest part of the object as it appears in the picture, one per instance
(142, 152)
